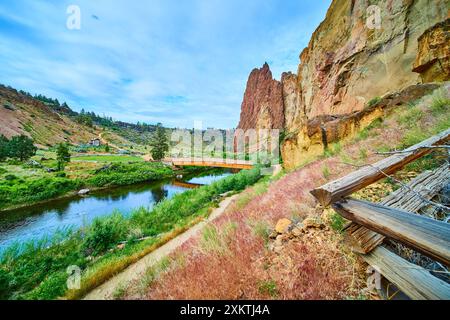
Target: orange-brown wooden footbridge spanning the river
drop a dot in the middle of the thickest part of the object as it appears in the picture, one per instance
(210, 162)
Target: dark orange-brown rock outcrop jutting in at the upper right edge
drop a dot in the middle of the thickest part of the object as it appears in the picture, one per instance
(433, 57)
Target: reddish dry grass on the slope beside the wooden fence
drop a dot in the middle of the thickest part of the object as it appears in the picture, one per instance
(313, 267)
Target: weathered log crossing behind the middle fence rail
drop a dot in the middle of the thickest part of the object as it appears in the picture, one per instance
(428, 184)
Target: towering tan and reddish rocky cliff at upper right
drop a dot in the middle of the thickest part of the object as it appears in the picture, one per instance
(363, 50)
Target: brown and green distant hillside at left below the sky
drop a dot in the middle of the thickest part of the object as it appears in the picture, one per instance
(48, 122)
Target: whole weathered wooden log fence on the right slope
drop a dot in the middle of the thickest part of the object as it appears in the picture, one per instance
(397, 217)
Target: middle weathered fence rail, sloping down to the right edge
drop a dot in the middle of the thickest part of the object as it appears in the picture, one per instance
(431, 237)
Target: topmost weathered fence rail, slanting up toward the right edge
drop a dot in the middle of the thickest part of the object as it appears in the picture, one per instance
(363, 177)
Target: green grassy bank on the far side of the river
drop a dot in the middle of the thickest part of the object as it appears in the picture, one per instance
(23, 186)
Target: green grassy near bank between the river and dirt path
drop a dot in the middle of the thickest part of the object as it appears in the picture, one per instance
(38, 270)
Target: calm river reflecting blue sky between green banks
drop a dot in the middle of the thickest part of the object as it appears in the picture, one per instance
(37, 221)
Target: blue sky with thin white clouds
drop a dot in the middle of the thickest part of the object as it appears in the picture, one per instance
(171, 61)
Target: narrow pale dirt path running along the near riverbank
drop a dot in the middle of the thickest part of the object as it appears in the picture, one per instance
(136, 270)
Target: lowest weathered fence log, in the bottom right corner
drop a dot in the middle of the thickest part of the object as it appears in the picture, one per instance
(416, 282)
